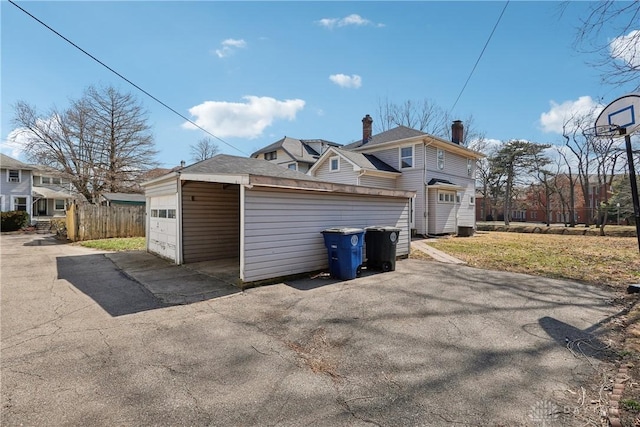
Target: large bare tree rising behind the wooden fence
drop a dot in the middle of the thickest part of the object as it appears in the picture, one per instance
(102, 139)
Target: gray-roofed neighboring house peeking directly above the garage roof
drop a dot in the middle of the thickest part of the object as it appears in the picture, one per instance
(294, 154)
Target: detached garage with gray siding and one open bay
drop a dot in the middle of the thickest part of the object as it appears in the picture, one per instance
(267, 217)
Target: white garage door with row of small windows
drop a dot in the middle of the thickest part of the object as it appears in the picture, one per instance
(163, 226)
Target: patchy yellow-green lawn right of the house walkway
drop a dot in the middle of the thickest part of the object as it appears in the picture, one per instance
(592, 259)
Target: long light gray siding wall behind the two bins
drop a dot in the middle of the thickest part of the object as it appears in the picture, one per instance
(283, 228)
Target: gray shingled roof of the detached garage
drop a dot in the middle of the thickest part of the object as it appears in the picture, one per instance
(233, 165)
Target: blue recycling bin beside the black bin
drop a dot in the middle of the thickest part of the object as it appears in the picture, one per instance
(344, 248)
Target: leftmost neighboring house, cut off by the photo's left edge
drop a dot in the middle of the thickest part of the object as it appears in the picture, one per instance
(16, 183)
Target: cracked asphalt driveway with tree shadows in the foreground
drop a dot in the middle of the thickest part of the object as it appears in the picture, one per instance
(429, 344)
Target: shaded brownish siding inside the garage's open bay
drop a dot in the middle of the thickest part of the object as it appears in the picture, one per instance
(210, 221)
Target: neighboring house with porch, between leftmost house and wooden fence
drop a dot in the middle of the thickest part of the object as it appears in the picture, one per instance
(52, 193)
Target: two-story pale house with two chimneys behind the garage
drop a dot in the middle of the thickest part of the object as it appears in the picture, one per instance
(440, 172)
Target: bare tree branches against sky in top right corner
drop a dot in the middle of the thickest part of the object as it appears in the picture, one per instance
(618, 51)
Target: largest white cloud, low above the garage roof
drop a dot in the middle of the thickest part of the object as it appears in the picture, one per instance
(243, 120)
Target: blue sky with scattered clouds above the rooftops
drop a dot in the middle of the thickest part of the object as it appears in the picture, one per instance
(253, 72)
